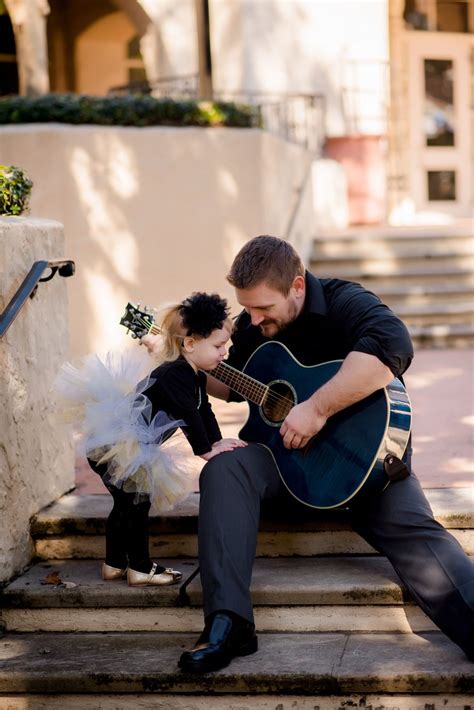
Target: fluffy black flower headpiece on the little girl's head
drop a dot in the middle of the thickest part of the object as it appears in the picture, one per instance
(203, 312)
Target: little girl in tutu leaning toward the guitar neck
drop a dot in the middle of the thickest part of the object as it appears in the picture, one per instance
(125, 428)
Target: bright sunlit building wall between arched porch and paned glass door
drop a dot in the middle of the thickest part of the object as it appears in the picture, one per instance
(338, 48)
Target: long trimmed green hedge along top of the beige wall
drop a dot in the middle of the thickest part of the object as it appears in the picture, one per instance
(131, 110)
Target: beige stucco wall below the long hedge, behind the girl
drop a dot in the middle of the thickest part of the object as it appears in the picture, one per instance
(152, 214)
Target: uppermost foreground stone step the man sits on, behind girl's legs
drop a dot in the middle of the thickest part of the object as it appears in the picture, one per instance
(74, 527)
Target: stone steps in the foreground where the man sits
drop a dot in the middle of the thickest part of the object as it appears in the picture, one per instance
(335, 627)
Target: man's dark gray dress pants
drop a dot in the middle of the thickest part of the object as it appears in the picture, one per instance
(398, 523)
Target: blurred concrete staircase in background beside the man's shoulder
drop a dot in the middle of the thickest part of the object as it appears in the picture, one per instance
(425, 274)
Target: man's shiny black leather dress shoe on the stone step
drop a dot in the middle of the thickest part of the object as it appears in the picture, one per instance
(225, 636)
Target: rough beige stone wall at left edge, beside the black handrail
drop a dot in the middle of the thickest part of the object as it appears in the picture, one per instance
(36, 457)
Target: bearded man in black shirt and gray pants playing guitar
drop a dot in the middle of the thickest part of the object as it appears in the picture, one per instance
(318, 320)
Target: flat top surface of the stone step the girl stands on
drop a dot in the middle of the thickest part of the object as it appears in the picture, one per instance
(280, 581)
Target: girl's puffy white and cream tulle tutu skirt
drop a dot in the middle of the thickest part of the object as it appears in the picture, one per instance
(103, 400)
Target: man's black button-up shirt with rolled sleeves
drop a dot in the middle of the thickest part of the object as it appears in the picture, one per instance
(338, 317)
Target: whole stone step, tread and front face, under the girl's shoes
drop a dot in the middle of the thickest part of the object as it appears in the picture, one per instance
(305, 594)
